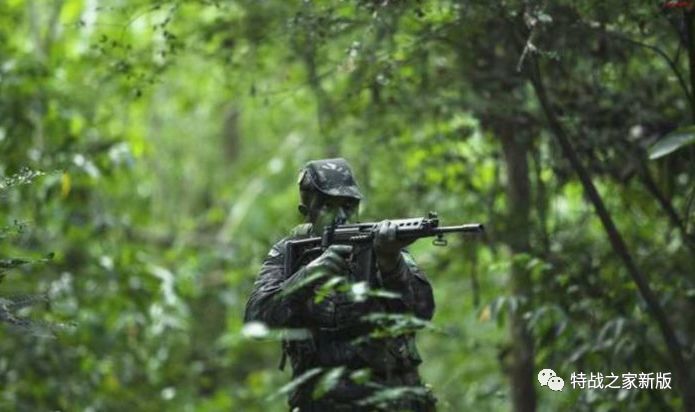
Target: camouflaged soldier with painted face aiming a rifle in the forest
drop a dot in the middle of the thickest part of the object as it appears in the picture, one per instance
(329, 191)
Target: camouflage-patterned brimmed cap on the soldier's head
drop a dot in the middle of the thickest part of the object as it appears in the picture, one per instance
(332, 177)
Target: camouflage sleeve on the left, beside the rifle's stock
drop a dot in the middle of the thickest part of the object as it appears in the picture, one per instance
(266, 304)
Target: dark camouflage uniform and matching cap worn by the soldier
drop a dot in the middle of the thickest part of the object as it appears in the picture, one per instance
(336, 326)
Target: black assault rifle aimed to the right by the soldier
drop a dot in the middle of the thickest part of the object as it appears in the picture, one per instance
(361, 236)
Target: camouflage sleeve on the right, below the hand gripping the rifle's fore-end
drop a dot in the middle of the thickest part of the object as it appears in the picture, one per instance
(413, 287)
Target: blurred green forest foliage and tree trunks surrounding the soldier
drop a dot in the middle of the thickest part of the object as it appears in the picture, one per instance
(149, 152)
